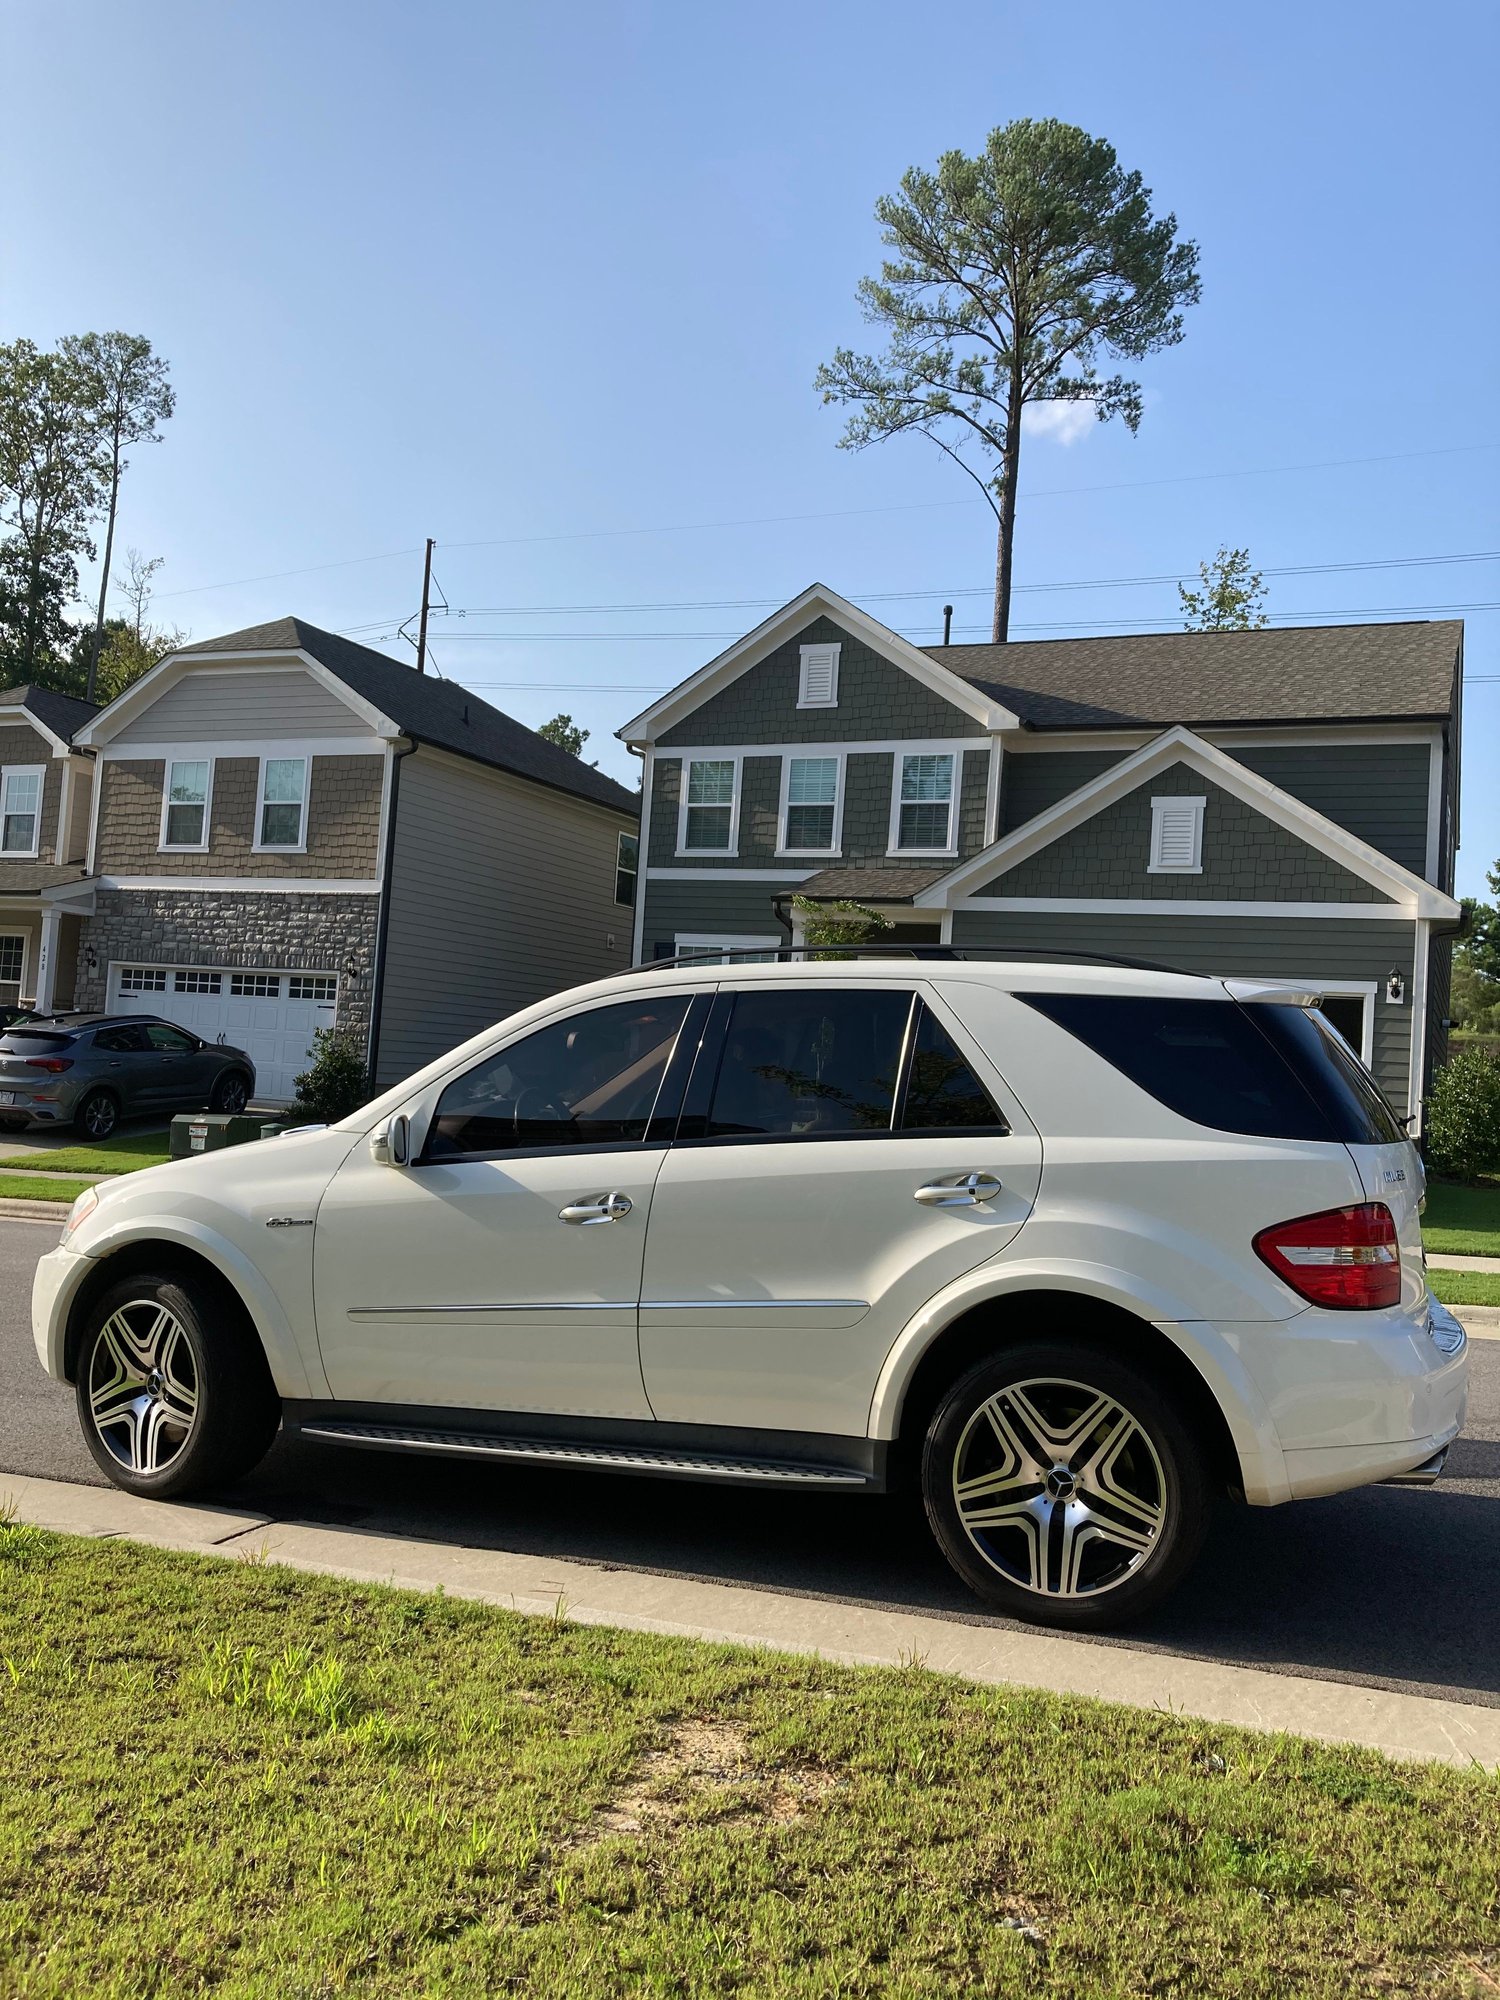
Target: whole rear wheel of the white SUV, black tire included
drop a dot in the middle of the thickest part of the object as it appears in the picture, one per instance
(1109, 1529)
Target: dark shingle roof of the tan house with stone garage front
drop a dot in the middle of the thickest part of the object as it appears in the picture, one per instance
(429, 711)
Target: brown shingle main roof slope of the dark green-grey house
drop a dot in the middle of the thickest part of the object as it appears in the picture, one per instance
(1359, 673)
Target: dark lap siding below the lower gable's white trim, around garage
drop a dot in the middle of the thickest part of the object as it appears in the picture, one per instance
(1233, 947)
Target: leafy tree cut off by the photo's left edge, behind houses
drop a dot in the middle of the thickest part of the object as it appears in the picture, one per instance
(49, 491)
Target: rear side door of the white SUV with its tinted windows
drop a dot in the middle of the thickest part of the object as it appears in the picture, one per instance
(851, 1155)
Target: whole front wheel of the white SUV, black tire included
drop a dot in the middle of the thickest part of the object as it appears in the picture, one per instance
(181, 1419)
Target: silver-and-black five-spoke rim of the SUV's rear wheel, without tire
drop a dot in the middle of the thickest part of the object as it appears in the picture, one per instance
(1059, 1489)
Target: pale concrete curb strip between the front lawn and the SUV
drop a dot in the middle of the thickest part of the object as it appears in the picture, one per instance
(1401, 1725)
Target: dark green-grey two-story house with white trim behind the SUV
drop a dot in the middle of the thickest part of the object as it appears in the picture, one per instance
(1275, 803)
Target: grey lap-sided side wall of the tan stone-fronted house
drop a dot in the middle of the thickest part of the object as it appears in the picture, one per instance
(503, 893)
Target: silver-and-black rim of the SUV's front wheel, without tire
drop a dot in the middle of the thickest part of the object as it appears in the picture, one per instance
(143, 1387)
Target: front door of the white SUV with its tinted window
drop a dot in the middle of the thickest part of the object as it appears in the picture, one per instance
(503, 1269)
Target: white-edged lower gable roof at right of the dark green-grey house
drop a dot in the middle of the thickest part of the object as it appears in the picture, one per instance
(1181, 747)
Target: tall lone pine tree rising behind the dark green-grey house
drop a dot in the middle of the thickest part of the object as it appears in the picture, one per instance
(1013, 277)
